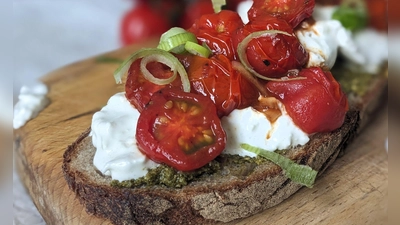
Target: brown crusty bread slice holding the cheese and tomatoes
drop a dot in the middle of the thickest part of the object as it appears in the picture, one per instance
(212, 199)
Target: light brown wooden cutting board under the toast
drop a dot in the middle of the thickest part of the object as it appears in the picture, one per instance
(353, 190)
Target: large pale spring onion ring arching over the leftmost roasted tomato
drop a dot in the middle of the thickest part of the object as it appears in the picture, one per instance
(167, 58)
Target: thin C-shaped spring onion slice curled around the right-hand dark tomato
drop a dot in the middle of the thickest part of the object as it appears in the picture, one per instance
(241, 49)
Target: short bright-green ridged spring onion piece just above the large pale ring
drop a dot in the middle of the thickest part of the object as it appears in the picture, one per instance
(176, 43)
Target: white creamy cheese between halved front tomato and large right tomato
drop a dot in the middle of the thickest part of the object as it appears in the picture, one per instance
(253, 127)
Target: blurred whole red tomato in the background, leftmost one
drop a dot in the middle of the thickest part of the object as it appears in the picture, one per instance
(141, 23)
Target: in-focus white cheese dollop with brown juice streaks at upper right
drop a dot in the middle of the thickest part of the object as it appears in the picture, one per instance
(323, 39)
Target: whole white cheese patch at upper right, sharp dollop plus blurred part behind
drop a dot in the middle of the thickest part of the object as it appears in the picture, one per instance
(367, 48)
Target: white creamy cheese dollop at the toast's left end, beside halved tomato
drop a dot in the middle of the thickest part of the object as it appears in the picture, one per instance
(113, 135)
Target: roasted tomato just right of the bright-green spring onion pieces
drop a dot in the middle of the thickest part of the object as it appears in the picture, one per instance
(216, 29)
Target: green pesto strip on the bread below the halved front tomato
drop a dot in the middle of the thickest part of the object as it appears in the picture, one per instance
(167, 176)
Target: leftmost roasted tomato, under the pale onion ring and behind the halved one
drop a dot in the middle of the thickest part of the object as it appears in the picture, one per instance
(139, 90)
